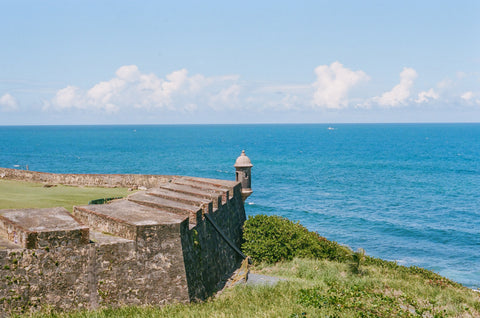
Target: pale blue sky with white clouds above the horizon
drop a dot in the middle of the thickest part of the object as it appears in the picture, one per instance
(87, 62)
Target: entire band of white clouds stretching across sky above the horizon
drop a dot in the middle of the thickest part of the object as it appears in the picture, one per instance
(181, 92)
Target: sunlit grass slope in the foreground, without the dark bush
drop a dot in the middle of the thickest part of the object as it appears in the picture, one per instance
(321, 288)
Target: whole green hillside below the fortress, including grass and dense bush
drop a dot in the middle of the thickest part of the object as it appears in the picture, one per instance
(329, 280)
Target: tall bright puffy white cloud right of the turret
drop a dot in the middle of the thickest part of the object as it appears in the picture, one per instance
(333, 84)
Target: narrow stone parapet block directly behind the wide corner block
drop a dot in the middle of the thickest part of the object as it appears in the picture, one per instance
(192, 211)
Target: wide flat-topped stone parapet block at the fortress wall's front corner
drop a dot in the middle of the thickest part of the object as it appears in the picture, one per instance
(122, 218)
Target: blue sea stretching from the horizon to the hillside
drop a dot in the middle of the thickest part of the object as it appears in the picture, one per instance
(404, 192)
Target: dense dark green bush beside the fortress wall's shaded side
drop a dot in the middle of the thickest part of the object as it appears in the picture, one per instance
(271, 239)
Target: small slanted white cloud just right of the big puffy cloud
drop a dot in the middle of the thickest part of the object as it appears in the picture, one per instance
(401, 92)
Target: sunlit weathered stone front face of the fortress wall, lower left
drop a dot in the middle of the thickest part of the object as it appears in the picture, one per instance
(120, 272)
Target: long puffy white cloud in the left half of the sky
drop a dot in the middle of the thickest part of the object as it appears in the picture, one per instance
(132, 88)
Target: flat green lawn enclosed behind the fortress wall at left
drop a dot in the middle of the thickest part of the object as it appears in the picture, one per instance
(21, 194)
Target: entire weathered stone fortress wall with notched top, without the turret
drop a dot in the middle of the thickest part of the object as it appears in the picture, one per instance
(174, 242)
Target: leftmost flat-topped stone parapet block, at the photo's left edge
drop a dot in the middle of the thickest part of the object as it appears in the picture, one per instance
(42, 228)
